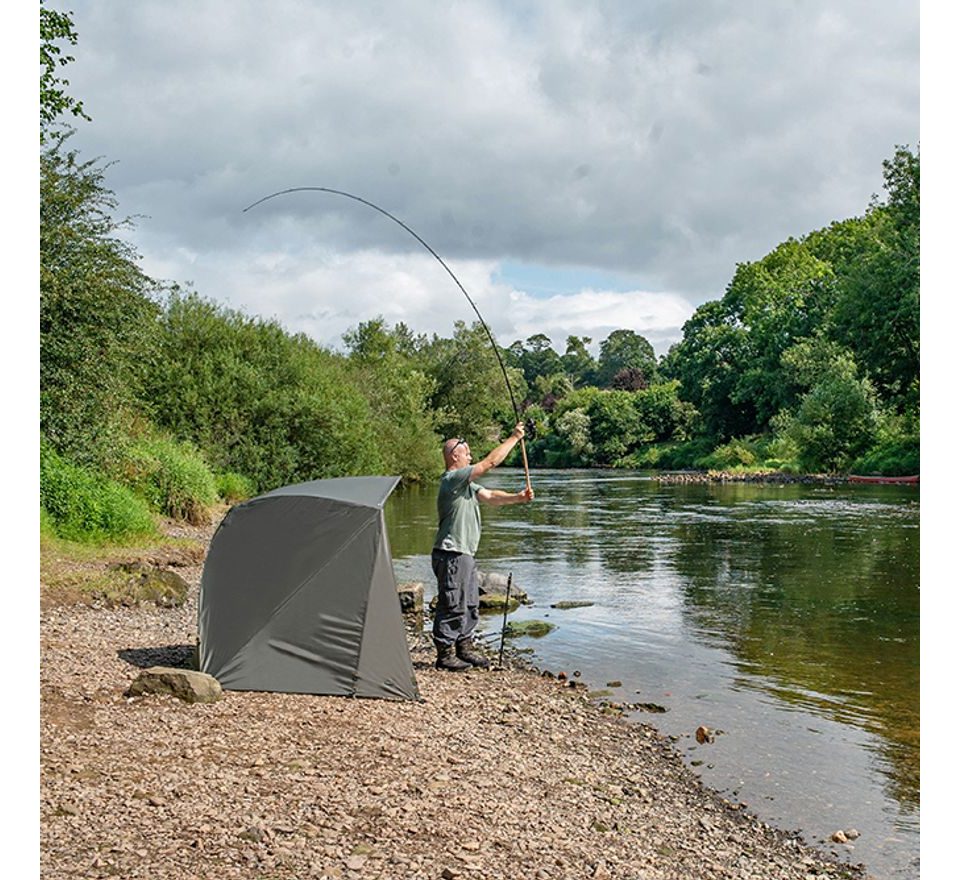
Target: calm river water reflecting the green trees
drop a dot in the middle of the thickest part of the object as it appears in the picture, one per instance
(787, 618)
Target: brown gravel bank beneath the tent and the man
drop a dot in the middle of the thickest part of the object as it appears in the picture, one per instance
(497, 774)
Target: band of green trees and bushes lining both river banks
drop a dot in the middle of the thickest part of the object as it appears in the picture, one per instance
(152, 393)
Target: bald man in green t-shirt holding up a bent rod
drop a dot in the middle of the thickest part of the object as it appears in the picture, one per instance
(458, 508)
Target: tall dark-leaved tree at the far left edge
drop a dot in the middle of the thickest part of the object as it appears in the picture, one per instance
(98, 311)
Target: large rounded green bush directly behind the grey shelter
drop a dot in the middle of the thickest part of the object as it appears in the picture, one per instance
(274, 407)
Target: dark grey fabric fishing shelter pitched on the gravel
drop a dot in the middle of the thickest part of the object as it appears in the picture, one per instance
(298, 594)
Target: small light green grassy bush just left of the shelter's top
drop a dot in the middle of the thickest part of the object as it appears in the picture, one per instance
(173, 477)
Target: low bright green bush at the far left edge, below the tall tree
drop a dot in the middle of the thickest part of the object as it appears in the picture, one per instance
(84, 505)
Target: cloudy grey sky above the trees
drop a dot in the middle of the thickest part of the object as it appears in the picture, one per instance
(580, 166)
